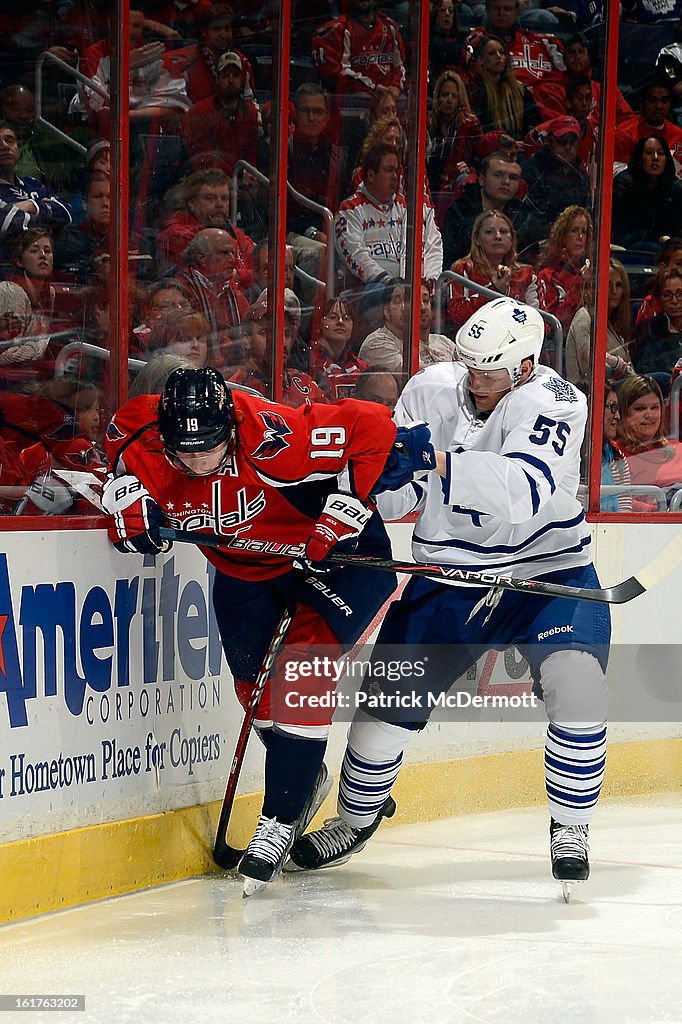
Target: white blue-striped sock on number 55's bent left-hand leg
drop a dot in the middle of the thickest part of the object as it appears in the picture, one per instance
(371, 765)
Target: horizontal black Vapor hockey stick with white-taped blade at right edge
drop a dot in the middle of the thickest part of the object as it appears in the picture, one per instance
(620, 594)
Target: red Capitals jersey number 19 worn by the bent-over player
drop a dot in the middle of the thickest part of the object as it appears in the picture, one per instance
(268, 499)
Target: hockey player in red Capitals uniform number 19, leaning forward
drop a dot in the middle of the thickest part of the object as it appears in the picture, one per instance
(274, 482)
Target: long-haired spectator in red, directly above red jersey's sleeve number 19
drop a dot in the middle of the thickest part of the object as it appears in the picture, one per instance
(331, 350)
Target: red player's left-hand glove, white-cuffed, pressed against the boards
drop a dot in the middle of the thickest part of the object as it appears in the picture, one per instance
(136, 517)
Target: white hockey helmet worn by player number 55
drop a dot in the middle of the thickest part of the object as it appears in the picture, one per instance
(500, 336)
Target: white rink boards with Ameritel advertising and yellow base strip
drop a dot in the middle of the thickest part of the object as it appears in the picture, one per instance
(118, 717)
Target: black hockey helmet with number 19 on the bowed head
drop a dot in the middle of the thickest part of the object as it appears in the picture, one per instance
(196, 411)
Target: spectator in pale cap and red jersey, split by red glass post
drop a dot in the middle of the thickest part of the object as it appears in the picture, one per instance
(299, 388)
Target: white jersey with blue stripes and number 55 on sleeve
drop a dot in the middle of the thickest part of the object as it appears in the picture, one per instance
(508, 502)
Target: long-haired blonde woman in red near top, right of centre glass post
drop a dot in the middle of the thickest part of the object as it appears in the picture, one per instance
(455, 133)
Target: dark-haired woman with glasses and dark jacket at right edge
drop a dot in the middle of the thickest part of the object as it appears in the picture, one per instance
(659, 340)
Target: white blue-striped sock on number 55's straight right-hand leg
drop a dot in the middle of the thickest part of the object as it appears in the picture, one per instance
(575, 762)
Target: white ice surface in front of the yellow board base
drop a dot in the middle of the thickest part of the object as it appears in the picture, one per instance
(455, 922)
